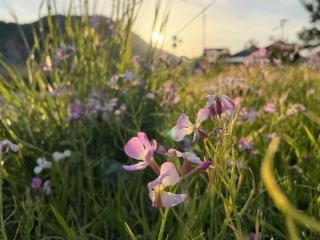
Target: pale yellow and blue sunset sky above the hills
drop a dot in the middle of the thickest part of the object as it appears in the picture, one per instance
(228, 23)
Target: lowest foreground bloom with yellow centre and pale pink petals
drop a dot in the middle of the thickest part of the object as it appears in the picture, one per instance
(168, 177)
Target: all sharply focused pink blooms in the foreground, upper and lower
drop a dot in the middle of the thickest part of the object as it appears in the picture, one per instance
(141, 149)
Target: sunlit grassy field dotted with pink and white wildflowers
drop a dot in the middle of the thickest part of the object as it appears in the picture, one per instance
(99, 144)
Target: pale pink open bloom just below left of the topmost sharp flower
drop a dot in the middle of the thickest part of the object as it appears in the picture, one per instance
(185, 127)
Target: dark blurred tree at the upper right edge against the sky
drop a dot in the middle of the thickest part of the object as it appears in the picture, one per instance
(311, 36)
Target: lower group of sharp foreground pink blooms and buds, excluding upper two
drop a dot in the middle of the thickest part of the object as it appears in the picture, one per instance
(141, 149)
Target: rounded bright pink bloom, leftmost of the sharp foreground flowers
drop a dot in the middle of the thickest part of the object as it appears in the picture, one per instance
(141, 149)
